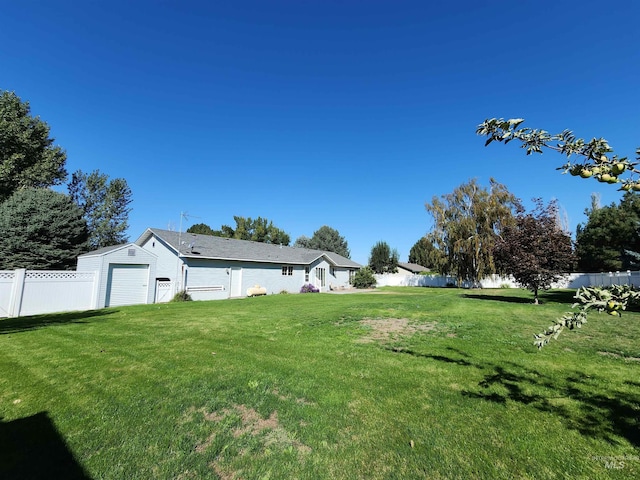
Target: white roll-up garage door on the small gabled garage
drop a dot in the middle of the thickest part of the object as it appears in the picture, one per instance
(127, 285)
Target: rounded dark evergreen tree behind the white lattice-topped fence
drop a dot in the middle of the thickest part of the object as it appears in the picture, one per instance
(41, 229)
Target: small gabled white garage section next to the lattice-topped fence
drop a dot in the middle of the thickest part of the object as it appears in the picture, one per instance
(126, 274)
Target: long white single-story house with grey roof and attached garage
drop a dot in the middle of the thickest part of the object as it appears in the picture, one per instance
(162, 262)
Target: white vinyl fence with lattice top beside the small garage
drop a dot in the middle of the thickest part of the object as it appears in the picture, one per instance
(33, 292)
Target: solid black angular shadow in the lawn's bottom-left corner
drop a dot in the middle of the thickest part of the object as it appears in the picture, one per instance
(32, 447)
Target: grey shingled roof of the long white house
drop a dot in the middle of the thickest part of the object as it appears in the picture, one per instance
(219, 248)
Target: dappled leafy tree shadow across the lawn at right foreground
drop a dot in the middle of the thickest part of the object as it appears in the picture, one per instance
(577, 399)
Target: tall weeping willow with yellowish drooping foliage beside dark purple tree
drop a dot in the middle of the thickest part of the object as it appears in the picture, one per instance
(467, 223)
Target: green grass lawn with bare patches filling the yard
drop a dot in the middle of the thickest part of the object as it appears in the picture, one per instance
(402, 383)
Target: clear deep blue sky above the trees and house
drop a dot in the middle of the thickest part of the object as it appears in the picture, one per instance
(350, 114)
